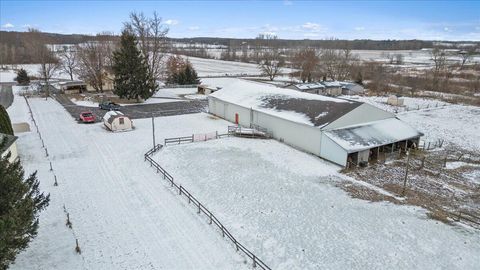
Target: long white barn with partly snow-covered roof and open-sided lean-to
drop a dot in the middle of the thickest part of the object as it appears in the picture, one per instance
(339, 130)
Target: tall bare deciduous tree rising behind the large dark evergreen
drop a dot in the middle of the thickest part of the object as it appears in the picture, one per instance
(151, 34)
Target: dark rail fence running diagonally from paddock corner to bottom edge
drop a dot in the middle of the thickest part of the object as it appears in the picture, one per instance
(212, 219)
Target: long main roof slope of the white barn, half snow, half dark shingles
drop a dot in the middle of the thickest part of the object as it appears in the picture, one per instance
(310, 109)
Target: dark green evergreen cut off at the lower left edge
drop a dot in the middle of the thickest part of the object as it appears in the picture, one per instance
(20, 204)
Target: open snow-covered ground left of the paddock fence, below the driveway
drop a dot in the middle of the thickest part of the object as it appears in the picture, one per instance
(123, 214)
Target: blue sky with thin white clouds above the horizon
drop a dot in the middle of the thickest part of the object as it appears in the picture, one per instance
(431, 20)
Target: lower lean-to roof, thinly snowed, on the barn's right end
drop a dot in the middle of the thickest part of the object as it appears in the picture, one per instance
(372, 134)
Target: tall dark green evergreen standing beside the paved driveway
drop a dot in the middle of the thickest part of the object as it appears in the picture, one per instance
(132, 79)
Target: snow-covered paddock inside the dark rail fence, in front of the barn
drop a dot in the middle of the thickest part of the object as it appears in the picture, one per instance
(283, 203)
